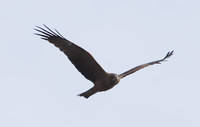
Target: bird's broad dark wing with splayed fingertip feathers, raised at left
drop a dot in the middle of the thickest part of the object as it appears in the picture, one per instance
(82, 60)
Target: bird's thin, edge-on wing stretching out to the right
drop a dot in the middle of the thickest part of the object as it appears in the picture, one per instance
(145, 65)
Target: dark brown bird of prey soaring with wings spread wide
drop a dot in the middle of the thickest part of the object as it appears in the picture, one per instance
(85, 63)
